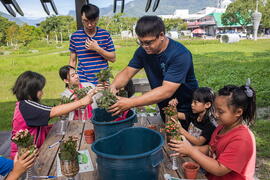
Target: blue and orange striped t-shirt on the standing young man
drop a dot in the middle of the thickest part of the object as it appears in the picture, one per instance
(89, 61)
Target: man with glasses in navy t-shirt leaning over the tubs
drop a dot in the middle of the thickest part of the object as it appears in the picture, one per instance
(167, 64)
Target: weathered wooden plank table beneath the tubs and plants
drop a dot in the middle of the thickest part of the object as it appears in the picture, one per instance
(46, 162)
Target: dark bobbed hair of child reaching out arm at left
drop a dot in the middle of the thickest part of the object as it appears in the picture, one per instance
(27, 86)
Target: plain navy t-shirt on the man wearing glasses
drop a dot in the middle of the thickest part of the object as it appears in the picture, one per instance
(174, 65)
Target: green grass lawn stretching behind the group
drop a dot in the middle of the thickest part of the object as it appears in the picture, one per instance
(215, 65)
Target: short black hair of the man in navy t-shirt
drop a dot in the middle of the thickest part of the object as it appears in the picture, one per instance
(149, 26)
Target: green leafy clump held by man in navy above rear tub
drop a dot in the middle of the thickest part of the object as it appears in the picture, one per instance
(107, 99)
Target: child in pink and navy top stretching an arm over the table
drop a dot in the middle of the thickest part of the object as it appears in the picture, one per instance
(30, 114)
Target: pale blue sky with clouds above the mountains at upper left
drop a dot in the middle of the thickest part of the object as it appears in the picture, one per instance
(33, 8)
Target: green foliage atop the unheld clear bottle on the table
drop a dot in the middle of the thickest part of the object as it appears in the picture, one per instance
(68, 149)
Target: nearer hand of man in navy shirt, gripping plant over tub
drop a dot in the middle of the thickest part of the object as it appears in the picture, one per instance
(122, 105)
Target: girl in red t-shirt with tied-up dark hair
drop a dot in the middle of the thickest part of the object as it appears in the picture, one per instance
(231, 153)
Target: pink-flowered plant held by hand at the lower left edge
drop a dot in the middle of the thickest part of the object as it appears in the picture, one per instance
(24, 141)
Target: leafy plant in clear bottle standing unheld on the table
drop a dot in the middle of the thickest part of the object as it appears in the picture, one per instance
(68, 156)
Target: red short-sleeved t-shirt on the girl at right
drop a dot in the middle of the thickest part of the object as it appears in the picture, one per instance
(236, 150)
